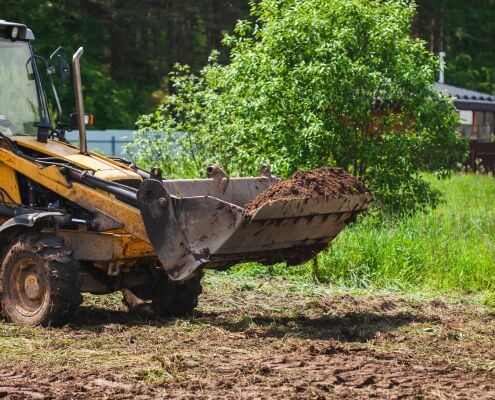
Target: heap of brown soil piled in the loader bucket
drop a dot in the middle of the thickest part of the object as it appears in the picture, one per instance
(321, 182)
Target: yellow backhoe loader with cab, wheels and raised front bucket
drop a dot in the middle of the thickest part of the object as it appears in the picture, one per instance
(73, 221)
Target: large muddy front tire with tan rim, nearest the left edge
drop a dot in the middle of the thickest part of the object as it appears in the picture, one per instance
(46, 260)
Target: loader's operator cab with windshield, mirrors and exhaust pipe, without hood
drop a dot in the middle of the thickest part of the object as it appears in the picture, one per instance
(24, 108)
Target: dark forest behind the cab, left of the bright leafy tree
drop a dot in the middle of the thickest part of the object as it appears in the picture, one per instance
(129, 46)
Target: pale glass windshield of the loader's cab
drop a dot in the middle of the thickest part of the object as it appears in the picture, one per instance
(19, 104)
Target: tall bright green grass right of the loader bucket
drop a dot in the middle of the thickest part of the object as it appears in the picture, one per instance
(449, 249)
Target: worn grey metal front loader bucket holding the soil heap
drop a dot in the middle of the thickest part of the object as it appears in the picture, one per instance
(193, 223)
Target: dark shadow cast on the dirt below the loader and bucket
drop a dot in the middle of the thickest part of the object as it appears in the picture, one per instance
(347, 327)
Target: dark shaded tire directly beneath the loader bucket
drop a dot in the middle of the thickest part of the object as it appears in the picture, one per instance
(166, 298)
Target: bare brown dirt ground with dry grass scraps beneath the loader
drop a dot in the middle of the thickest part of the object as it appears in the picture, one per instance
(254, 338)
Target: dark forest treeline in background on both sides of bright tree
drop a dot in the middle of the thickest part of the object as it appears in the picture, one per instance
(131, 46)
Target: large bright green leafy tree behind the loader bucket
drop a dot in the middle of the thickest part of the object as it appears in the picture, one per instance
(312, 83)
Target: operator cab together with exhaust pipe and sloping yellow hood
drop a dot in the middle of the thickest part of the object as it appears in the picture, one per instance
(24, 113)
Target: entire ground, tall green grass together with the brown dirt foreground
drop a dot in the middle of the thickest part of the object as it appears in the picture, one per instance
(403, 309)
